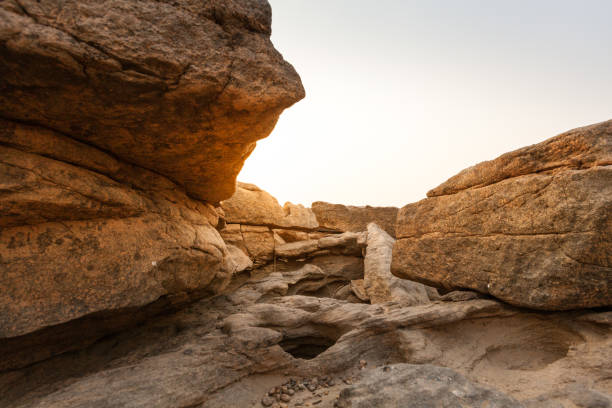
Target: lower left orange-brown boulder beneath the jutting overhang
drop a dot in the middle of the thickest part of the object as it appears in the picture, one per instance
(75, 242)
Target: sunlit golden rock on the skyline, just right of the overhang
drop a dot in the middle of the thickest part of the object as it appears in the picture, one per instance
(253, 206)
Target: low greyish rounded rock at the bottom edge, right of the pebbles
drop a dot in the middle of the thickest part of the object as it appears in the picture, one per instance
(425, 386)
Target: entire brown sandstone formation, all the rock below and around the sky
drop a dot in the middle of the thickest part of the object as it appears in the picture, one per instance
(130, 276)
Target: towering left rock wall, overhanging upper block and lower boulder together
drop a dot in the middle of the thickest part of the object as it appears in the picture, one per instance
(122, 123)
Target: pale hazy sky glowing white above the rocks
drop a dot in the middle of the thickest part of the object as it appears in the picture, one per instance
(401, 95)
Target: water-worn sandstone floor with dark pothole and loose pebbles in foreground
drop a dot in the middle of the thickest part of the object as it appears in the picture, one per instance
(265, 343)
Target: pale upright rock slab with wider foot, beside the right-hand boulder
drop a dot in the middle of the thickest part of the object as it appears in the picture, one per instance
(380, 285)
